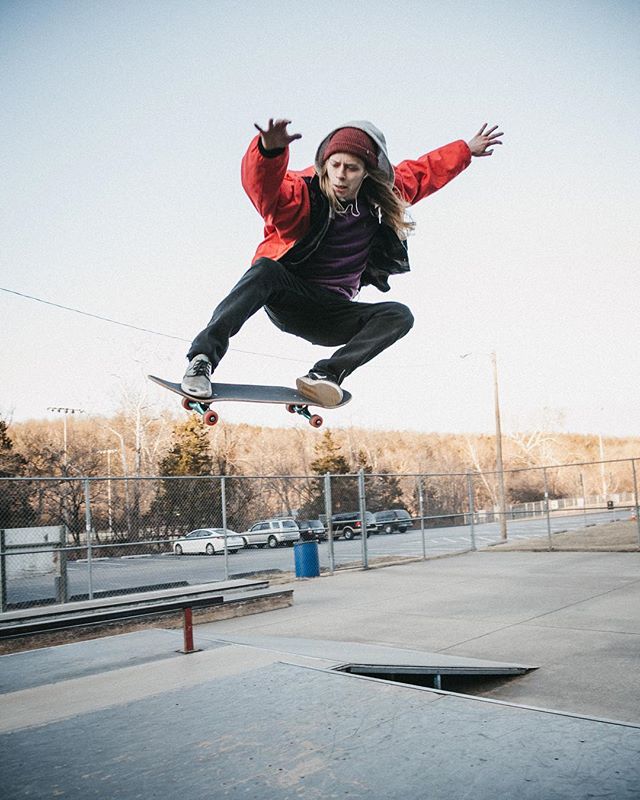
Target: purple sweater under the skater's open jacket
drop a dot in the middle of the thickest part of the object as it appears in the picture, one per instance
(341, 258)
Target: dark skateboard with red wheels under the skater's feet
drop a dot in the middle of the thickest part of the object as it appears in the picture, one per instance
(295, 402)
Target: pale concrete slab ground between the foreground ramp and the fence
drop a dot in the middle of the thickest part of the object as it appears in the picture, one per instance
(574, 615)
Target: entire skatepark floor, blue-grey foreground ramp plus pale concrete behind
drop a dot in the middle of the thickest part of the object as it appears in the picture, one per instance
(261, 712)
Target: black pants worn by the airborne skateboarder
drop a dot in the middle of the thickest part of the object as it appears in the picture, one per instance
(318, 315)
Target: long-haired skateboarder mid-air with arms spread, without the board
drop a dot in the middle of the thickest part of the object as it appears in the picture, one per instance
(328, 230)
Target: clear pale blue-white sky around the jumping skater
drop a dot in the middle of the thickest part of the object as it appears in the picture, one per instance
(123, 126)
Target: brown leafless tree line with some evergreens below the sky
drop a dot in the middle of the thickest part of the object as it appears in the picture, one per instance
(258, 463)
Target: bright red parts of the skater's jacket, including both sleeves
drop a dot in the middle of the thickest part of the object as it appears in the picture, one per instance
(281, 196)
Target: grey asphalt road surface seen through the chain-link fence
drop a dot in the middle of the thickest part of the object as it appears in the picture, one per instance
(137, 571)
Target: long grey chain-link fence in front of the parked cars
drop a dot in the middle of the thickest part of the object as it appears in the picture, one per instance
(70, 539)
